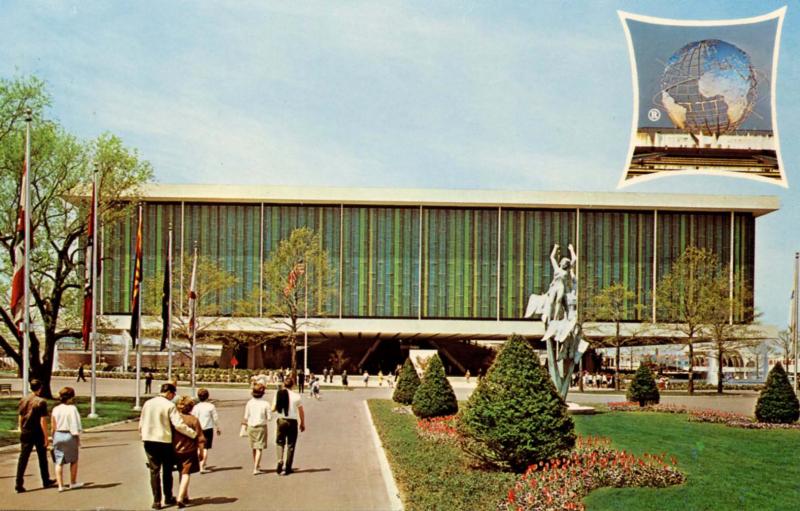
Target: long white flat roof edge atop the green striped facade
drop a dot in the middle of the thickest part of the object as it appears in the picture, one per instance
(238, 194)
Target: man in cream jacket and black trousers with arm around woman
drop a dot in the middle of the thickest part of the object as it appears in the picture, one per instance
(159, 415)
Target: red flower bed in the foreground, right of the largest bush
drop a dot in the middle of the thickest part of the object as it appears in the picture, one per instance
(561, 484)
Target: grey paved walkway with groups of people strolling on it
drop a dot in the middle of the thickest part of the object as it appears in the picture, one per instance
(336, 463)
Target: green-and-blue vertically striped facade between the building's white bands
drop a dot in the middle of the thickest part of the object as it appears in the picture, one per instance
(428, 262)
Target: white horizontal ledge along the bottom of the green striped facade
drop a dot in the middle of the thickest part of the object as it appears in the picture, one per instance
(434, 329)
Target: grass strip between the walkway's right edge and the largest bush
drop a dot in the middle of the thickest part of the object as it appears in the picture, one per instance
(433, 475)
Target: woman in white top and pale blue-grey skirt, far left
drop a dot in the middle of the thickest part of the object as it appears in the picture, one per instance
(66, 429)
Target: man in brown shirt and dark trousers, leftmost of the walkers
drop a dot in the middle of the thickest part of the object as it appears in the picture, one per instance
(32, 423)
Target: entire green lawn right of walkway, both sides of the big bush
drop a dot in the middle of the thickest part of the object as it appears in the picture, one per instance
(726, 468)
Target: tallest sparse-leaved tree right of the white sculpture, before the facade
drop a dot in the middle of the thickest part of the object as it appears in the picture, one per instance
(683, 298)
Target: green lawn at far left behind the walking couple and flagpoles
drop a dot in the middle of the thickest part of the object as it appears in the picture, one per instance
(110, 409)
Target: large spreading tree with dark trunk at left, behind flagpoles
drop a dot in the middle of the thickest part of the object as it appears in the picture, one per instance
(61, 172)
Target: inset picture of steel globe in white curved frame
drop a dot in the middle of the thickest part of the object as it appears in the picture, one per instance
(704, 98)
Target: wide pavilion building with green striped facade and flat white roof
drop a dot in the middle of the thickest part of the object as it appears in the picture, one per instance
(430, 264)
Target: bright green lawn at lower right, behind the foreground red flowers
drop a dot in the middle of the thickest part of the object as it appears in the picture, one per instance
(726, 468)
